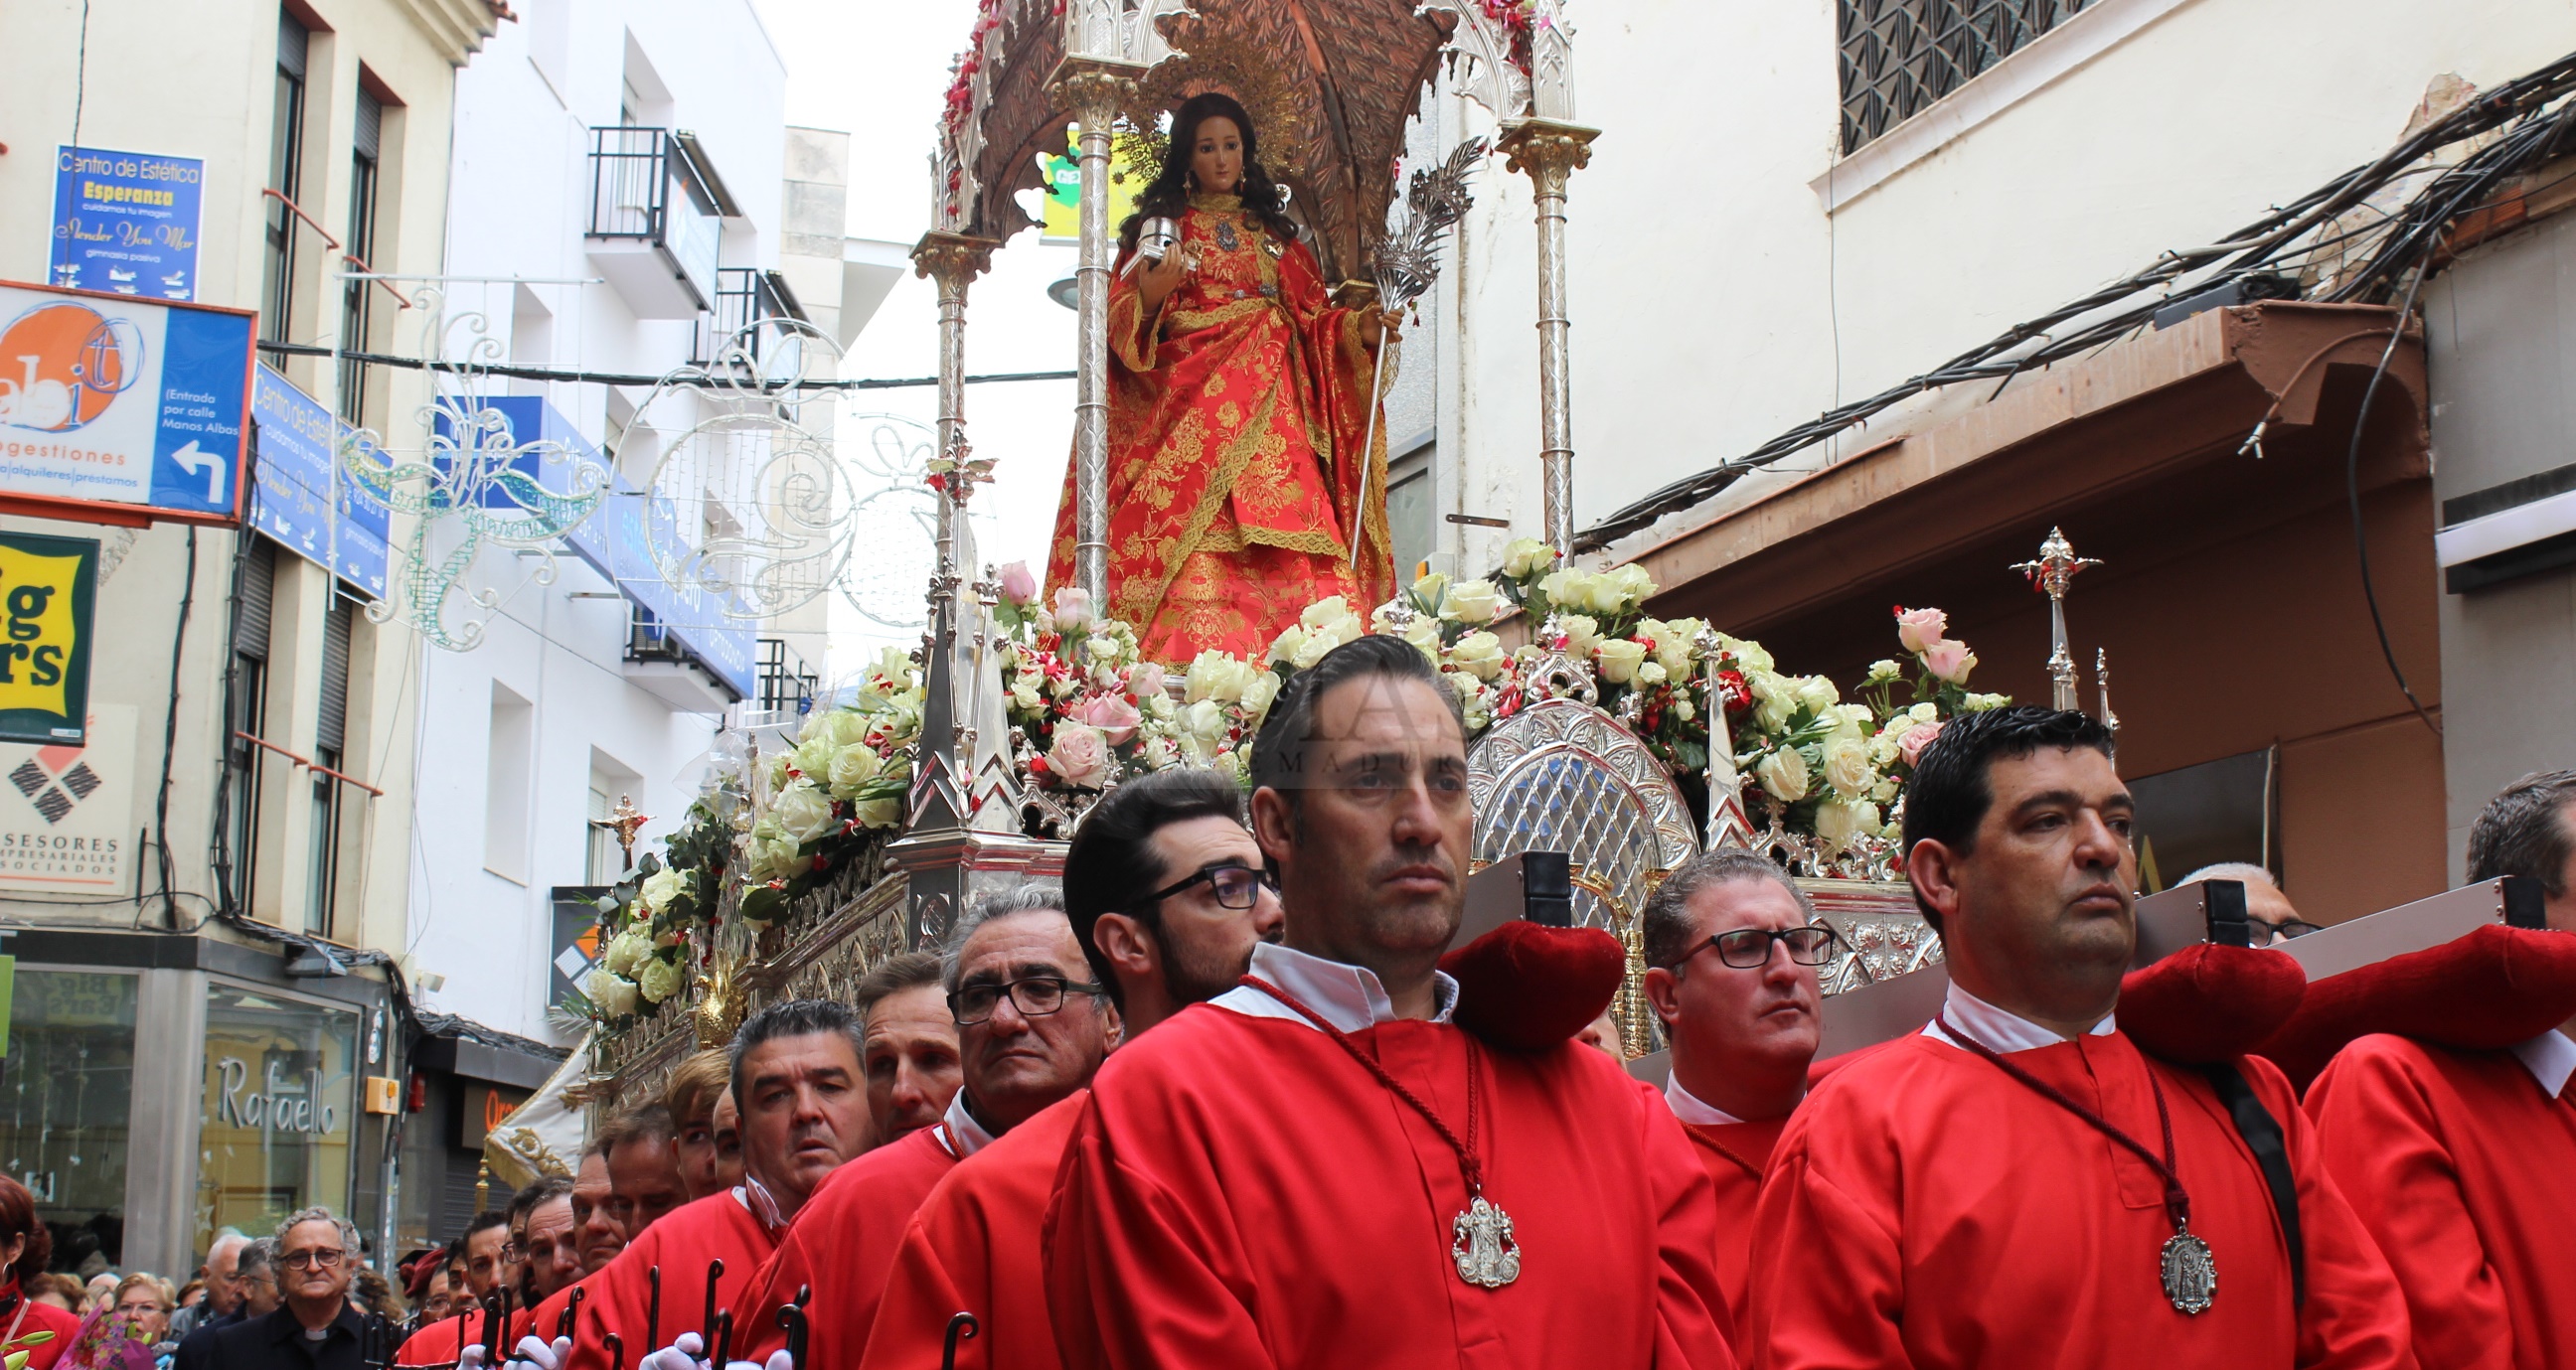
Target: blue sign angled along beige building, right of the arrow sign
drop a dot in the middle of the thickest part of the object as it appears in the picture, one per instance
(292, 496)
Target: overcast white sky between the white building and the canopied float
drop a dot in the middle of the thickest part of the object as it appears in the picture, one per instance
(877, 71)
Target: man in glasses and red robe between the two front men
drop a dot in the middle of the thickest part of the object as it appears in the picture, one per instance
(1732, 952)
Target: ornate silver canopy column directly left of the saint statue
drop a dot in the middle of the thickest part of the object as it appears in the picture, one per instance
(1096, 91)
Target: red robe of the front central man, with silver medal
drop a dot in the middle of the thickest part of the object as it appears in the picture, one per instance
(1240, 1194)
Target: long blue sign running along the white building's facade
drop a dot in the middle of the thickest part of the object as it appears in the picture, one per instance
(620, 540)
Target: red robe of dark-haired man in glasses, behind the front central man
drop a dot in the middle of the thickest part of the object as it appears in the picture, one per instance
(975, 1248)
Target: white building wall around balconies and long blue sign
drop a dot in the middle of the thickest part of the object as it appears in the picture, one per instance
(522, 202)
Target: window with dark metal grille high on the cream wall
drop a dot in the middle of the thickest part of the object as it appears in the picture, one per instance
(1902, 55)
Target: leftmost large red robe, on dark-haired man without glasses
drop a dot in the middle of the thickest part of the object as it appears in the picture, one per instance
(681, 1245)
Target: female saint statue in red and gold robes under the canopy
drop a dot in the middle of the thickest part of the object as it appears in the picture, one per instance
(1240, 400)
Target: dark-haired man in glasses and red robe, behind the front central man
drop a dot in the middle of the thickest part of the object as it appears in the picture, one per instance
(1168, 897)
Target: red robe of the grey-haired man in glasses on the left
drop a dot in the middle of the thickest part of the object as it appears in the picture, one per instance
(841, 1245)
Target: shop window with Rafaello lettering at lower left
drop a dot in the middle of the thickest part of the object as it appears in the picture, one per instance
(279, 1114)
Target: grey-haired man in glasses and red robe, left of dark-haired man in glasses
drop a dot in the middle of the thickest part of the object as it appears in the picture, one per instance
(1032, 1031)
